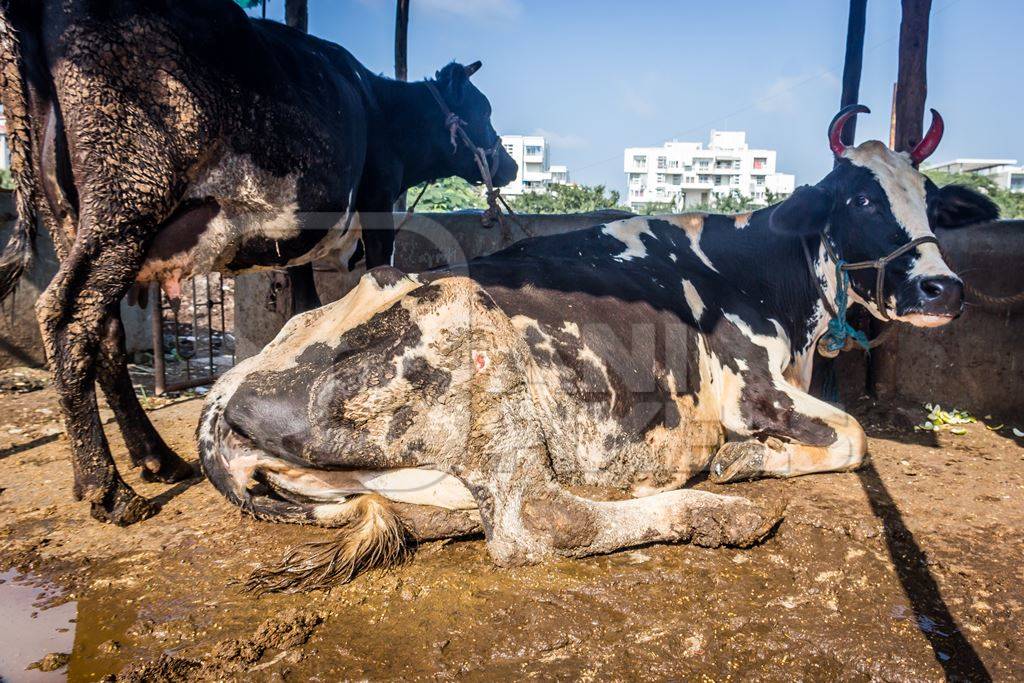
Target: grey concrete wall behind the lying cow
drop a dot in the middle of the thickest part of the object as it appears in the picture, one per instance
(976, 363)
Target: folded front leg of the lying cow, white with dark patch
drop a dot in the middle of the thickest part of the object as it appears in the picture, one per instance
(792, 434)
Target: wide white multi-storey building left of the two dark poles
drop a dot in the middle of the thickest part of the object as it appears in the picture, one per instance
(689, 175)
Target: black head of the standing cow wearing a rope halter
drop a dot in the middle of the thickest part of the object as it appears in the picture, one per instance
(474, 112)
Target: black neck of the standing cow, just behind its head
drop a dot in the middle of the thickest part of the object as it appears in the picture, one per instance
(408, 140)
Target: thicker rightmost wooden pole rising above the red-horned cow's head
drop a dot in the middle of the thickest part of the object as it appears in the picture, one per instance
(912, 86)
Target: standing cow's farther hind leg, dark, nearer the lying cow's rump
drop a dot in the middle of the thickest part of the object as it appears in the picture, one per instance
(145, 445)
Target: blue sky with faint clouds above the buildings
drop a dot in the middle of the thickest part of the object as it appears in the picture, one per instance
(599, 76)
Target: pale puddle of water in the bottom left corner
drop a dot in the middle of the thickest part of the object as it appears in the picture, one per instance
(29, 633)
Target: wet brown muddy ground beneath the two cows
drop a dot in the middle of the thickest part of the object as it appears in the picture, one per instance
(911, 570)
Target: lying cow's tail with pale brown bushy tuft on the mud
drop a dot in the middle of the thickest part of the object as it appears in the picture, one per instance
(369, 534)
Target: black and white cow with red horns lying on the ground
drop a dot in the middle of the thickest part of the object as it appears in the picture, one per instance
(624, 359)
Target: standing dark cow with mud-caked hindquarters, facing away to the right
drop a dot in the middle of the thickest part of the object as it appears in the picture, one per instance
(164, 140)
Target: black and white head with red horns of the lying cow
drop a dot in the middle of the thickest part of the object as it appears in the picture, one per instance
(875, 203)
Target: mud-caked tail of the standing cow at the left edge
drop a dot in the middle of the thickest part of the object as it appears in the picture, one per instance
(17, 257)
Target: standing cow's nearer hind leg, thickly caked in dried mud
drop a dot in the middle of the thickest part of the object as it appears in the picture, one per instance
(72, 315)
